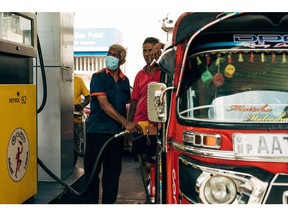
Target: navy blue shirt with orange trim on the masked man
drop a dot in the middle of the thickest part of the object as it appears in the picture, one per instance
(118, 95)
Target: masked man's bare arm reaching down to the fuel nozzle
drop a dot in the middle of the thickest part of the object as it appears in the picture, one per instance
(109, 110)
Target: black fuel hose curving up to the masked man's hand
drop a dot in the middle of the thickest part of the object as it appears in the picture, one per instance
(69, 188)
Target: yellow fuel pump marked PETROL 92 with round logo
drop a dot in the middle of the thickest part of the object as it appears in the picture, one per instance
(18, 134)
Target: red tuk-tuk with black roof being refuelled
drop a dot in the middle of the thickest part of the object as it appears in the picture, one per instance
(222, 105)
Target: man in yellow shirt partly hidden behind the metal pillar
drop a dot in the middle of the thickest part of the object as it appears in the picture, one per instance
(80, 91)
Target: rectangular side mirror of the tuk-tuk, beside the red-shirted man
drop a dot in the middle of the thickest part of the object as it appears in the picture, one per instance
(156, 102)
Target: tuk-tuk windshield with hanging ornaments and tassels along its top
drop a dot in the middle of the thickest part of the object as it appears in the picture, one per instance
(235, 87)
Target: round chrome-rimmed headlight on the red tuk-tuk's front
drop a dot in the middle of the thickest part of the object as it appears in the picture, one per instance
(220, 190)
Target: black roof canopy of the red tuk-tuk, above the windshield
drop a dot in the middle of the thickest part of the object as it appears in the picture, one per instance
(191, 22)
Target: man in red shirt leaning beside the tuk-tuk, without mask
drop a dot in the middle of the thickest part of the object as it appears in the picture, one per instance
(138, 106)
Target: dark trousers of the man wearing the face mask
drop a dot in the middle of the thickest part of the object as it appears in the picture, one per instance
(110, 161)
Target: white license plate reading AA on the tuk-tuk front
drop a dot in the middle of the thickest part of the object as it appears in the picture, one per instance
(261, 145)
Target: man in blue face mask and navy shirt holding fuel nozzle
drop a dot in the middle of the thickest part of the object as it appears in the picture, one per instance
(110, 92)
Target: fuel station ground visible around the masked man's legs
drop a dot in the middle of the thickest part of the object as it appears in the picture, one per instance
(131, 189)
